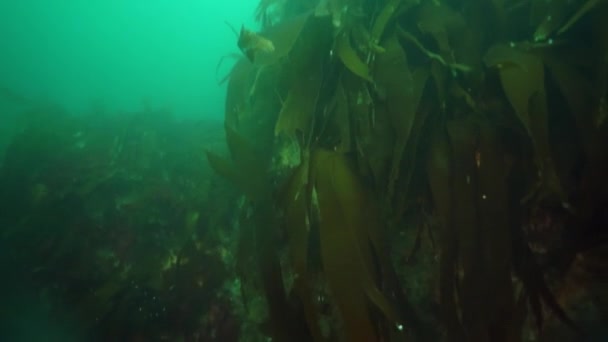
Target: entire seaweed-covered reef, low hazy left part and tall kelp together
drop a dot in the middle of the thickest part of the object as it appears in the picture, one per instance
(387, 170)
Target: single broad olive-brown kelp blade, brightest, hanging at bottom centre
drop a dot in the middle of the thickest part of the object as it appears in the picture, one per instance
(347, 254)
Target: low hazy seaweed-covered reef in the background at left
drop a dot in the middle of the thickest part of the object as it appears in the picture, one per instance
(106, 230)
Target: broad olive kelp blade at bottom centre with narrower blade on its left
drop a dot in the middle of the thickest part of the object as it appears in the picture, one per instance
(326, 184)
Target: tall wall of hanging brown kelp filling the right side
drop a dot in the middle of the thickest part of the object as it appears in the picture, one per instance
(422, 170)
